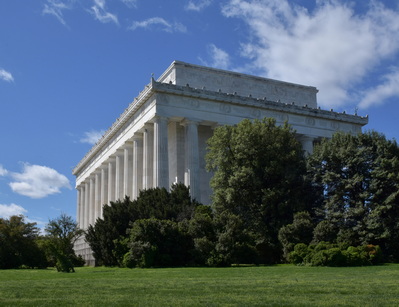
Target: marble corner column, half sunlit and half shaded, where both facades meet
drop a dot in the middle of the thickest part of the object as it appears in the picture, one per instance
(161, 161)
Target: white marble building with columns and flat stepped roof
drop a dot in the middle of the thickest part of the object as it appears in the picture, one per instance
(161, 137)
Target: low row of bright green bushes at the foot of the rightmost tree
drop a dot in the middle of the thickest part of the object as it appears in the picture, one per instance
(327, 254)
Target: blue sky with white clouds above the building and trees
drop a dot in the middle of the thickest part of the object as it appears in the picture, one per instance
(69, 68)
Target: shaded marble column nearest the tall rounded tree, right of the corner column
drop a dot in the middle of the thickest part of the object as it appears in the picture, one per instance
(191, 176)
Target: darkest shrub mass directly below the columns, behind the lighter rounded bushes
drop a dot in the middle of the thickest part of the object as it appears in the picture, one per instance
(106, 237)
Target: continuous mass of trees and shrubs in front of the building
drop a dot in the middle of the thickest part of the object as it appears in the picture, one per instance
(271, 203)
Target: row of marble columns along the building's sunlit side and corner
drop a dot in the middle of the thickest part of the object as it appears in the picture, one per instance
(142, 162)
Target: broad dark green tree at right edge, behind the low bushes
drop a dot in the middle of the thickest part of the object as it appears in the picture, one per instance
(358, 176)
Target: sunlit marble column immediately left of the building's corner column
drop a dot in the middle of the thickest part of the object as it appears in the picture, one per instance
(148, 144)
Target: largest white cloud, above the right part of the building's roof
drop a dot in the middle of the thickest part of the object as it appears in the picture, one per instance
(330, 47)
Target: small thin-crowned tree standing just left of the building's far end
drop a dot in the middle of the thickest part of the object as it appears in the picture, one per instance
(62, 233)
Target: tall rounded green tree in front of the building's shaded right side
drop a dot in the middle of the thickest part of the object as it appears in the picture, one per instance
(259, 177)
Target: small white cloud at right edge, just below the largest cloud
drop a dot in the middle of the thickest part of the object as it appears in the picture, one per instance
(389, 88)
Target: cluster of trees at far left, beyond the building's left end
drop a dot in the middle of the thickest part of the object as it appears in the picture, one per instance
(23, 246)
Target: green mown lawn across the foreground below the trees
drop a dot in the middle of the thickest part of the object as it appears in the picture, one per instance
(282, 285)
